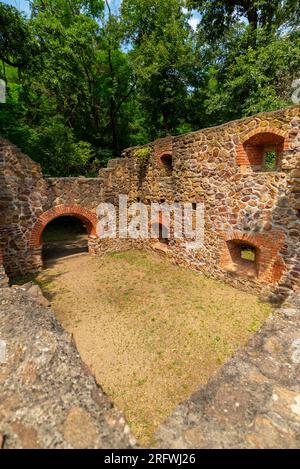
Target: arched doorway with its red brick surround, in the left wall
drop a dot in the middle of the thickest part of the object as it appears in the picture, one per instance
(62, 230)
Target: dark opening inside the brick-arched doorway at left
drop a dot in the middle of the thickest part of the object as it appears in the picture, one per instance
(64, 236)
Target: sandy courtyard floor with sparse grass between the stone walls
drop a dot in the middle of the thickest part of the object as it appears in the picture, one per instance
(150, 331)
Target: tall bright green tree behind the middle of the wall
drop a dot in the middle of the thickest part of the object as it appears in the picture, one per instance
(162, 58)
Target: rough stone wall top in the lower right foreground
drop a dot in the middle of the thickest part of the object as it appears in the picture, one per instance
(253, 402)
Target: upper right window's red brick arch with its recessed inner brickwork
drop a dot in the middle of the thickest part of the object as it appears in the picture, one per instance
(250, 149)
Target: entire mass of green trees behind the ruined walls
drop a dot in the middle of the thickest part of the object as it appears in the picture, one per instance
(84, 83)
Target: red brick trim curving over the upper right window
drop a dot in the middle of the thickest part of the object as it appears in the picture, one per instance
(280, 136)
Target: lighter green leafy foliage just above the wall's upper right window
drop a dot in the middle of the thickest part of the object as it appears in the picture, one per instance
(255, 81)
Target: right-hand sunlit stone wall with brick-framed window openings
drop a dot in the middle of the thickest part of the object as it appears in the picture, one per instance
(241, 203)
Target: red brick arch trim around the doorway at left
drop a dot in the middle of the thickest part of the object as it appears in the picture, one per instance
(88, 217)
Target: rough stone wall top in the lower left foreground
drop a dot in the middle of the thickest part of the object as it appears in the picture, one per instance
(49, 399)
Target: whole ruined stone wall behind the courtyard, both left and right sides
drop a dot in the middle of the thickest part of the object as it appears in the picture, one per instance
(218, 167)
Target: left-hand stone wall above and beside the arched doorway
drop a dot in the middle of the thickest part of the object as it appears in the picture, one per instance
(26, 196)
